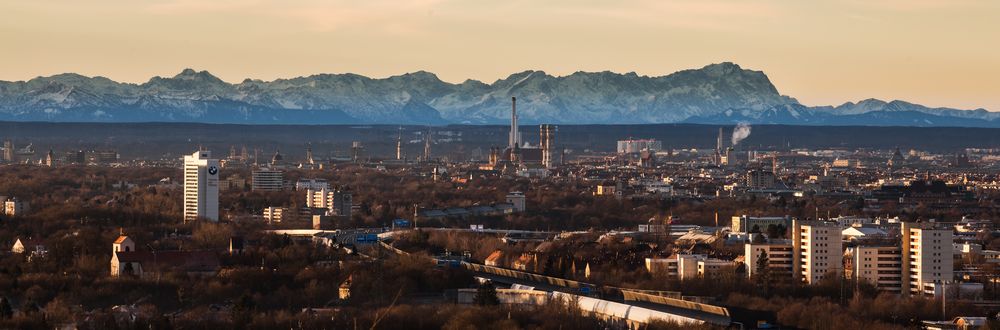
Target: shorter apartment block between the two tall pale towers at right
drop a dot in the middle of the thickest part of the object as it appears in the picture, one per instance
(880, 266)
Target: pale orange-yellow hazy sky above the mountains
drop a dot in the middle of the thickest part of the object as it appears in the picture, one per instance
(938, 53)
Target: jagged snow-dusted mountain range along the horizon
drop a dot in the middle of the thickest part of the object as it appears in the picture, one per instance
(716, 93)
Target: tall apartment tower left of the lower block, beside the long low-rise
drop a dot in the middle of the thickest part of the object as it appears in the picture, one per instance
(818, 251)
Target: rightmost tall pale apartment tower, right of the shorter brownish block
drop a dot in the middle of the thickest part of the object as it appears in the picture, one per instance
(927, 257)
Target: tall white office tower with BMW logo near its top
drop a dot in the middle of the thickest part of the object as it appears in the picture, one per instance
(201, 186)
